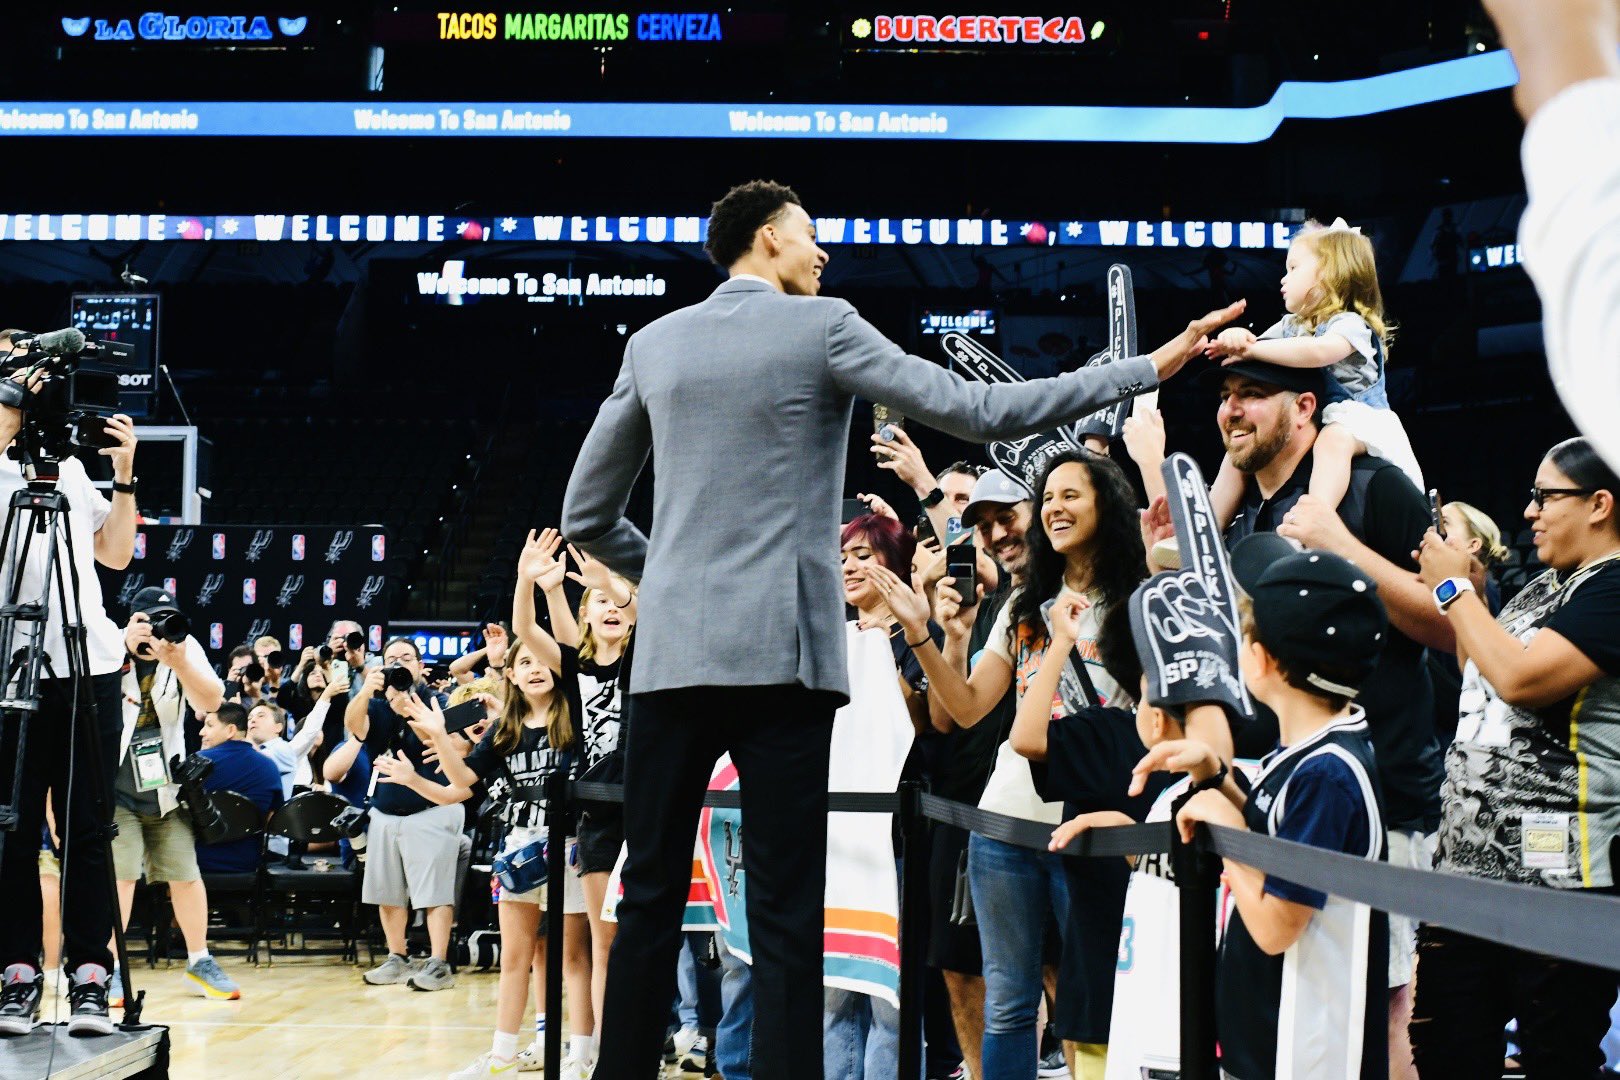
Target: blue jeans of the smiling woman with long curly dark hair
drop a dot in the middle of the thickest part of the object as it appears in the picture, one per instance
(1017, 893)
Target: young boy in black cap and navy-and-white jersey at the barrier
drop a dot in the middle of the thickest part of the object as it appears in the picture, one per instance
(1302, 976)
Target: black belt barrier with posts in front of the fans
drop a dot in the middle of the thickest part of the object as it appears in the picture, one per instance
(1566, 924)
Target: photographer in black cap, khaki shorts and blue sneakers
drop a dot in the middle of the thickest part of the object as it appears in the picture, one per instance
(155, 835)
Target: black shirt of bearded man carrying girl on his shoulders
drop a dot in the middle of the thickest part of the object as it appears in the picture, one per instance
(1389, 516)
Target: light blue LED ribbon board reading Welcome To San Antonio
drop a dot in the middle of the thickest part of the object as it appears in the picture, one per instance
(704, 121)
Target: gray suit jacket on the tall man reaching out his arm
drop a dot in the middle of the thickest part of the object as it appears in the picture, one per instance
(746, 401)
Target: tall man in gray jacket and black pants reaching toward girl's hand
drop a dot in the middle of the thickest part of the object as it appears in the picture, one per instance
(744, 402)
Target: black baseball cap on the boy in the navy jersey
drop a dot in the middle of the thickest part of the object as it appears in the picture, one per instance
(1315, 611)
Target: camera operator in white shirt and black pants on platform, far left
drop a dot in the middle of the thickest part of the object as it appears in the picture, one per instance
(61, 755)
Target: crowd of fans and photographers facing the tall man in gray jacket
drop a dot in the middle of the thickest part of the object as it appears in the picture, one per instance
(1407, 710)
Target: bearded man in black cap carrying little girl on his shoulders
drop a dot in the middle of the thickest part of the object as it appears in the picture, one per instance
(1269, 420)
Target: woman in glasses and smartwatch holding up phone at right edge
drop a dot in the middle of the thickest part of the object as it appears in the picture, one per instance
(1532, 789)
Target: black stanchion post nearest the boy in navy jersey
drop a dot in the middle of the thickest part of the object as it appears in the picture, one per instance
(1198, 877)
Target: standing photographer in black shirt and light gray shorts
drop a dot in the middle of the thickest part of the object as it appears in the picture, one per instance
(412, 844)
